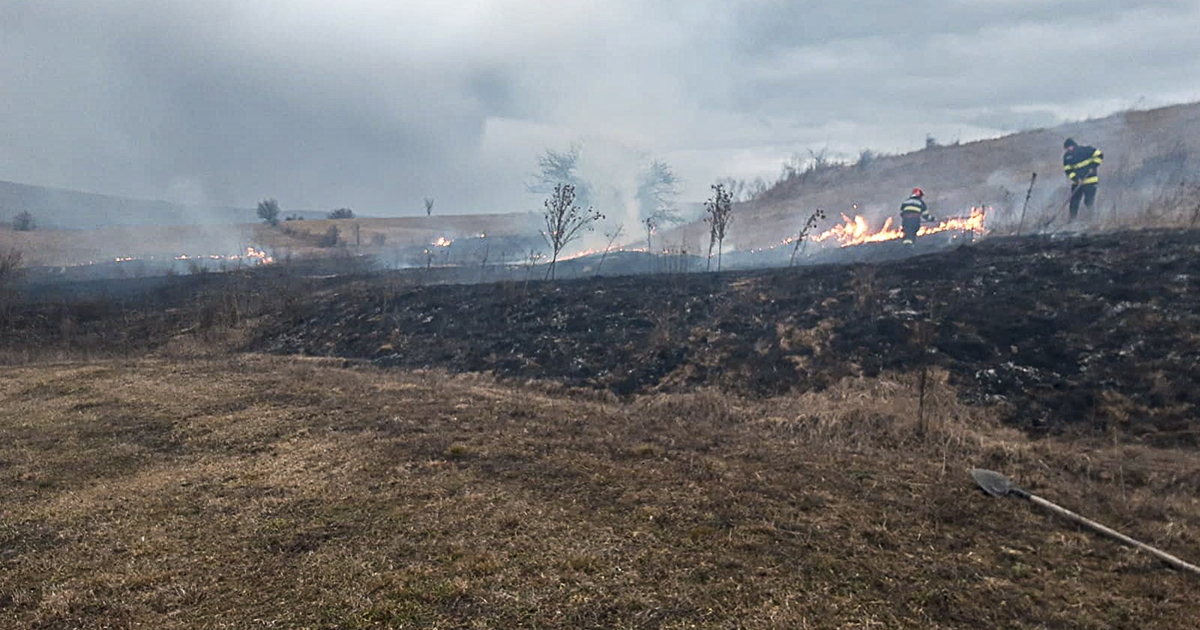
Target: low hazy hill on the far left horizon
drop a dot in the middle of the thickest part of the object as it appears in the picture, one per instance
(65, 209)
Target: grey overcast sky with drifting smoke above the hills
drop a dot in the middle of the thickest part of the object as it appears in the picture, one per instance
(376, 105)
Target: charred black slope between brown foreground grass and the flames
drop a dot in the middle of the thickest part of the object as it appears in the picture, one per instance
(1093, 333)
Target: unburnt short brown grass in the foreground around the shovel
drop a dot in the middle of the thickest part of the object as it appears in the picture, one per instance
(251, 491)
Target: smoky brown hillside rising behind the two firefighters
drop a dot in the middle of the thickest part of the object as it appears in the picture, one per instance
(1148, 154)
